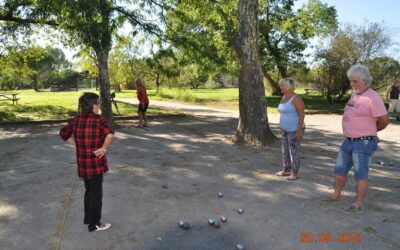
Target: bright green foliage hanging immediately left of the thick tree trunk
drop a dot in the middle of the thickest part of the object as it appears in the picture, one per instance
(204, 33)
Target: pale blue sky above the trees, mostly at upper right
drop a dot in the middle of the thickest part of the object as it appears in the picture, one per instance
(359, 12)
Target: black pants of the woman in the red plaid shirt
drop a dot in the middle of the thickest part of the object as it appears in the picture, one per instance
(93, 201)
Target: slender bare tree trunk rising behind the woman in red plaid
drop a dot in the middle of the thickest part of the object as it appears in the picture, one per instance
(104, 79)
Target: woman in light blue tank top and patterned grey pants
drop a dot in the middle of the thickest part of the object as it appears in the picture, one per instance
(291, 109)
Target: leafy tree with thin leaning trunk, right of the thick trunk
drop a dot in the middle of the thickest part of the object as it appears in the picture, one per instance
(285, 33)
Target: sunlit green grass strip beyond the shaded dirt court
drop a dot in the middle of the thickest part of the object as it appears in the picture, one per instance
(46, 105)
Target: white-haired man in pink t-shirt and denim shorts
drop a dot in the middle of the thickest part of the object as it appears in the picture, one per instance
(364, 115)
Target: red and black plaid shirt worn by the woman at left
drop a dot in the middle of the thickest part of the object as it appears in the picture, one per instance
(89, 132)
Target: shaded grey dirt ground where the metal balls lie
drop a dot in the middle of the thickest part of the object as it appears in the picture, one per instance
(41, 199)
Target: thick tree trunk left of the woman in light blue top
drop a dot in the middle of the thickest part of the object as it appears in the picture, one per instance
(253, 127)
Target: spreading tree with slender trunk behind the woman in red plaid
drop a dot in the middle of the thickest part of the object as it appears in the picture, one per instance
(90, 24)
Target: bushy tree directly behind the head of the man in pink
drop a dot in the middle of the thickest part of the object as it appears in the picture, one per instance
(348, 46)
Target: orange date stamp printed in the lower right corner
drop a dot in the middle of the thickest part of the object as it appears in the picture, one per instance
(328, 237)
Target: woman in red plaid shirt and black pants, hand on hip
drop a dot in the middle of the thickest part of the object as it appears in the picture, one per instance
(92, 135)
